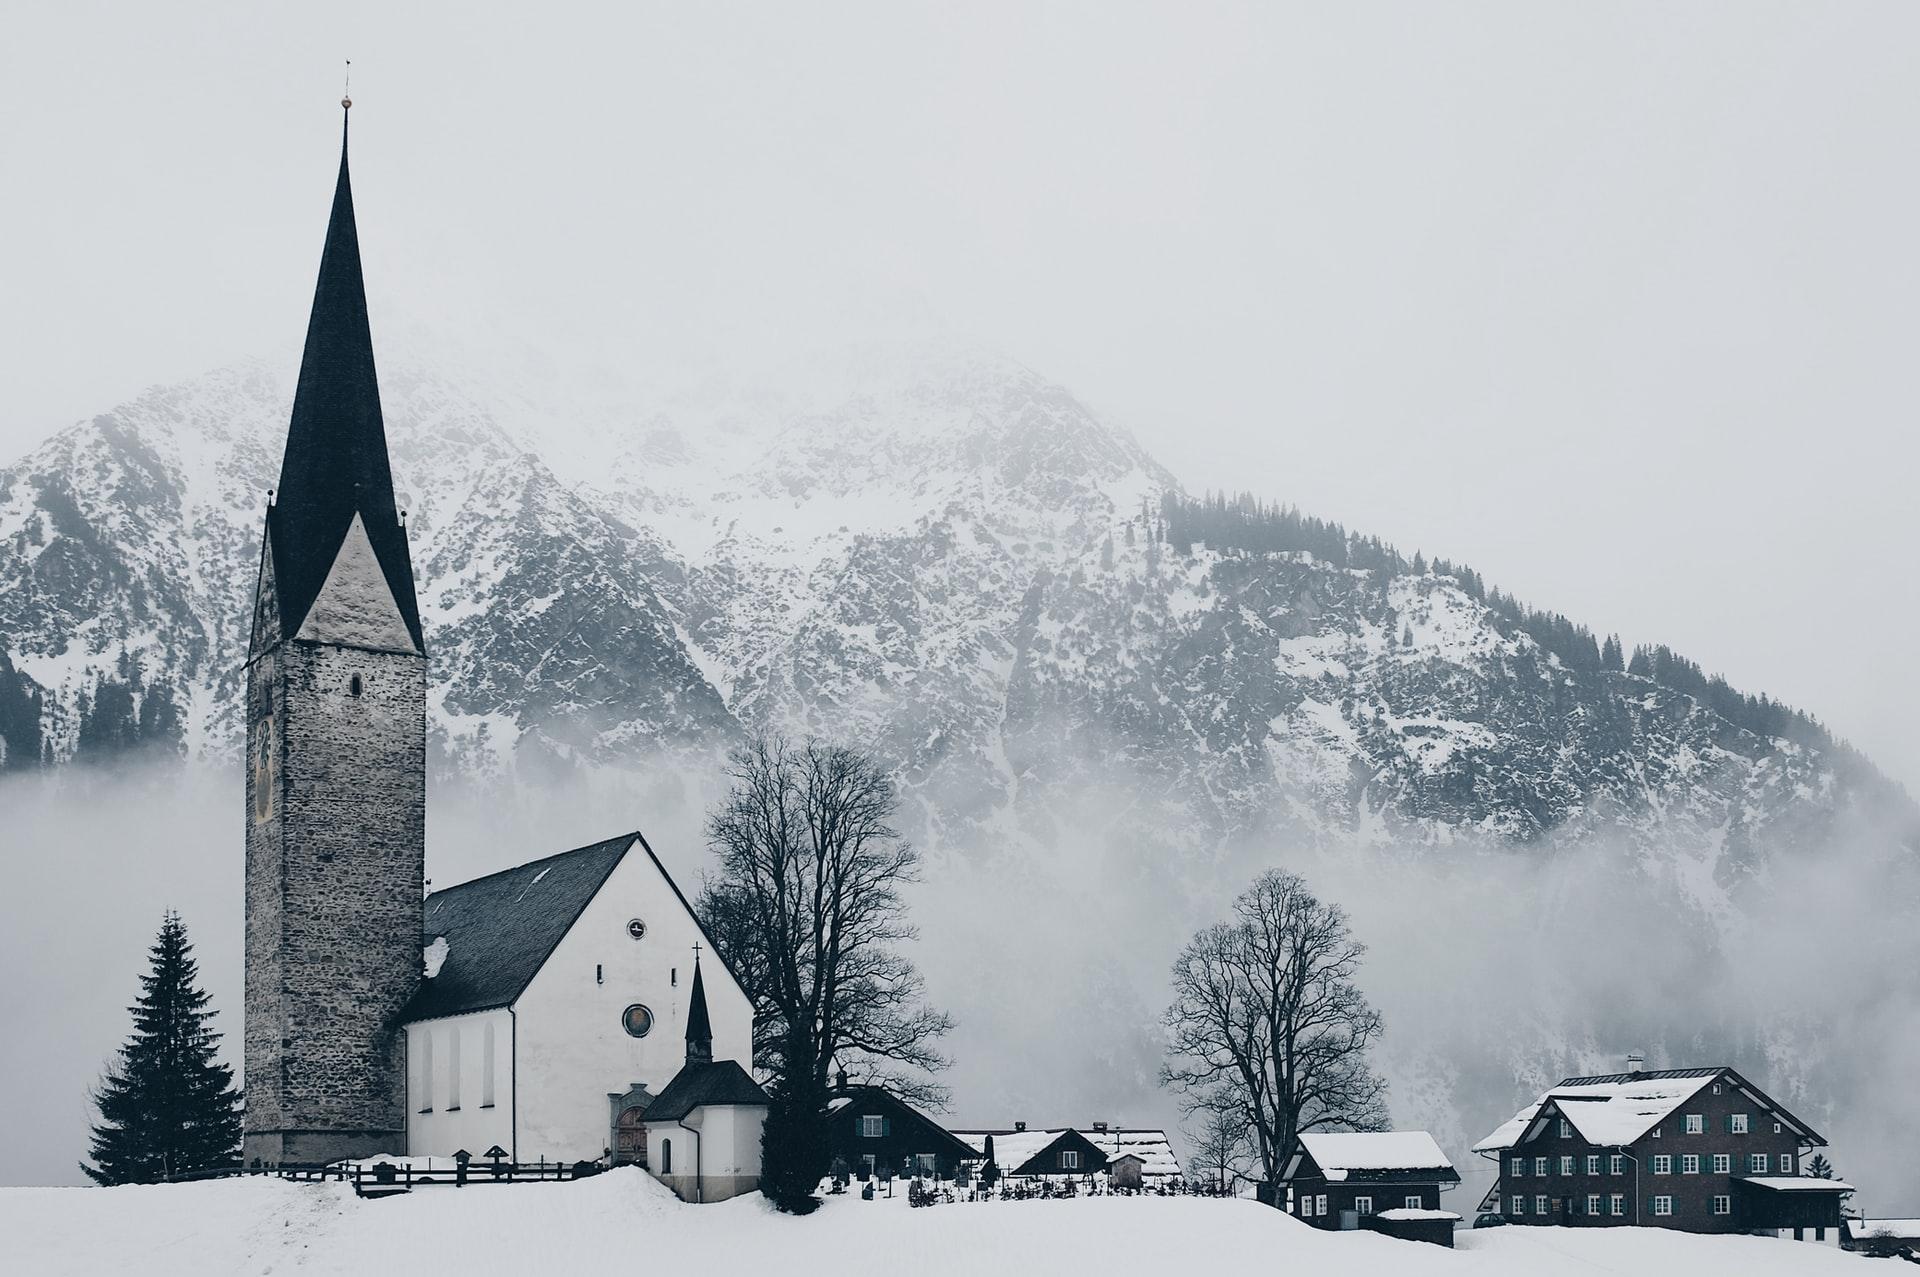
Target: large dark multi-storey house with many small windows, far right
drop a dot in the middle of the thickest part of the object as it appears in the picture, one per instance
(1696, 1149)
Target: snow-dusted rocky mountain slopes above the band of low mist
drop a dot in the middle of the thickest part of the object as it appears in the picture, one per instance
(930, 550)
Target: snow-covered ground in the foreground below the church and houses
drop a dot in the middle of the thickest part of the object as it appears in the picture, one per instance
(629, 1222)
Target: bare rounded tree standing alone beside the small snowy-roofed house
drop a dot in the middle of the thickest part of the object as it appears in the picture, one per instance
(1268, 1026)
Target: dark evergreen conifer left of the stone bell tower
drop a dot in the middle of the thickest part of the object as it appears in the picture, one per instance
(168, 1107)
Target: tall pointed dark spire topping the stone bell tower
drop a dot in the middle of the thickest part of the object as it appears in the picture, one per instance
(335, 464)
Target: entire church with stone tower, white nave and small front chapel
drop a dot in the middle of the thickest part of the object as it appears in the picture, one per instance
(569, 1009)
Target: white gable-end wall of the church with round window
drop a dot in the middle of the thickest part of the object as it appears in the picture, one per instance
(573, 1048)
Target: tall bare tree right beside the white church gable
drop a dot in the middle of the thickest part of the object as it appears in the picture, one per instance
(805, 907)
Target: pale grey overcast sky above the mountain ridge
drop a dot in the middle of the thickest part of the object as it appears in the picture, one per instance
(1614, 302)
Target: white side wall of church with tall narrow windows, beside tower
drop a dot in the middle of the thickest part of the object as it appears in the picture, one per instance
(460, 1084)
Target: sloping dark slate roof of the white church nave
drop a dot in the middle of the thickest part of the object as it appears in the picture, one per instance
(502, 928)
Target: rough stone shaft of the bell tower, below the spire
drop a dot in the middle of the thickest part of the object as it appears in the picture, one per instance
(337, 740)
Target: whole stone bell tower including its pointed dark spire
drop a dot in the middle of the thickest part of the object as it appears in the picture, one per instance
(337, 758)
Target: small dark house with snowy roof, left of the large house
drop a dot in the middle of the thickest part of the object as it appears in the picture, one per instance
(1389, 1182)
